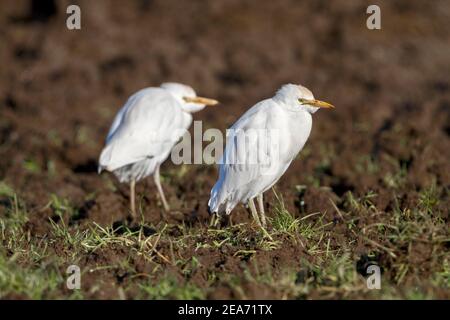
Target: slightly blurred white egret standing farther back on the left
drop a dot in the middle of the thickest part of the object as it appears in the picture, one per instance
(144, 132)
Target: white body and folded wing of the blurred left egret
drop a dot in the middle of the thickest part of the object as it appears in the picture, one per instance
(147, 127)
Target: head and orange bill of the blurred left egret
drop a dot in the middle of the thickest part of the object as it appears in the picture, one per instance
(187, 97)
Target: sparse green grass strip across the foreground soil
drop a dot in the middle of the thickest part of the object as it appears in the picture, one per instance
(168, 262)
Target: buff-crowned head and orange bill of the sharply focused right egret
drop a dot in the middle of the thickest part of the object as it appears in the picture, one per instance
(297, 96)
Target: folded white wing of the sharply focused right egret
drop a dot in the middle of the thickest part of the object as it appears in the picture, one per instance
(242, 172)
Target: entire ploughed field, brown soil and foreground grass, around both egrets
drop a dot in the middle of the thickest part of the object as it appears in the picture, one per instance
(370, 187)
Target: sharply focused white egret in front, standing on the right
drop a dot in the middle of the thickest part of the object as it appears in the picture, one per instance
(285, 121)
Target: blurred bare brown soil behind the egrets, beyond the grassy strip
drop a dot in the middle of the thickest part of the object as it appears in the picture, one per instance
(387, 138)
